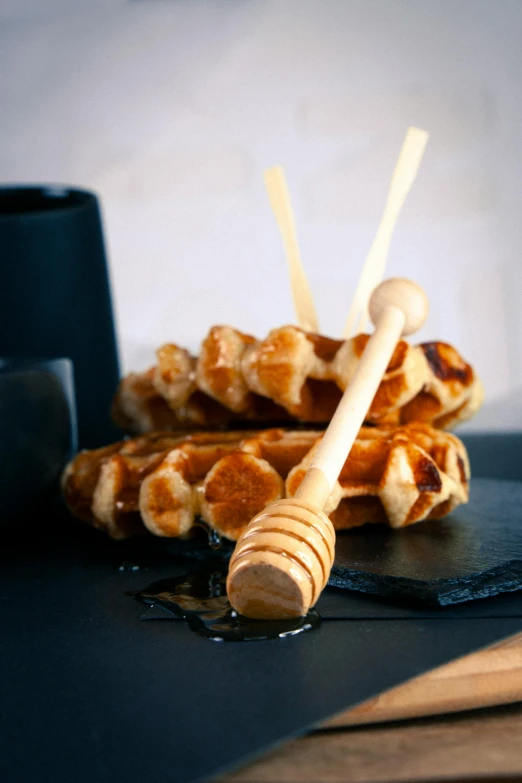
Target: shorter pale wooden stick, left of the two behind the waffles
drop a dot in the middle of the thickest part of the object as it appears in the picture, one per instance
(280, 202)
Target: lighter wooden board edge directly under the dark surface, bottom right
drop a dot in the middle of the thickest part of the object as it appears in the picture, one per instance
(486, 678)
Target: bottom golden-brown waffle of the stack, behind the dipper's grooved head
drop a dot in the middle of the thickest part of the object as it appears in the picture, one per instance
(395, 475)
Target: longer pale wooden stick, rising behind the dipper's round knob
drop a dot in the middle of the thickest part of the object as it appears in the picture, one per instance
(403, 177)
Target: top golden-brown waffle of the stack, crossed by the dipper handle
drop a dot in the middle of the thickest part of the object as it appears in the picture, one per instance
(292, 375)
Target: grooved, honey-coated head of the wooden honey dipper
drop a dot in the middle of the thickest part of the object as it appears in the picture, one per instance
(281, 562)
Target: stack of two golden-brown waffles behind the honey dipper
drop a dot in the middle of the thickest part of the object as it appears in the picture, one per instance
(403, 467)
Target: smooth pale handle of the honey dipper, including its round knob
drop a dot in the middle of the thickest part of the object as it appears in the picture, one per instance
(397, 307)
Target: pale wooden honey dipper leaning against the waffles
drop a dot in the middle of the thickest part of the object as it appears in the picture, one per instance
(283, 560)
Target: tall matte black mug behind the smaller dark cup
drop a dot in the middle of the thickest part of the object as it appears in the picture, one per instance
(54, 294)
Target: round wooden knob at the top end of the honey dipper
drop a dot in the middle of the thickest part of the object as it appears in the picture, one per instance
(404, 295)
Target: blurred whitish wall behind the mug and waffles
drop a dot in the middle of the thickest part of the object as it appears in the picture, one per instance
(171, 109)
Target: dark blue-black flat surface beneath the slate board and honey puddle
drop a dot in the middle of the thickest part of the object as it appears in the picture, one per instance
(90, 693)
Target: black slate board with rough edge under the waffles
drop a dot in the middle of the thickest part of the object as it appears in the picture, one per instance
(476, 552)
